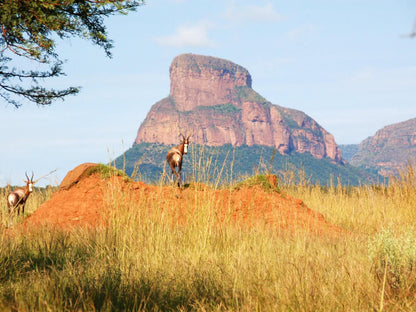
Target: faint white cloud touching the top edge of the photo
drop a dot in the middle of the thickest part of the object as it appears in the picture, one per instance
(257, 13)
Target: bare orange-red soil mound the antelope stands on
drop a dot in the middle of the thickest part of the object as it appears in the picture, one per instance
(81, 199)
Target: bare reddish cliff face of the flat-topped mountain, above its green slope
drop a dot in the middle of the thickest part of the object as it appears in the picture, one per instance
(213, 99)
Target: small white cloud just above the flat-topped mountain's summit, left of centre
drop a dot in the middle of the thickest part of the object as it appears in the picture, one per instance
(194, 36)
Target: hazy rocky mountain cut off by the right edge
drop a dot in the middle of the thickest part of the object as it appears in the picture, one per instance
(389, 150)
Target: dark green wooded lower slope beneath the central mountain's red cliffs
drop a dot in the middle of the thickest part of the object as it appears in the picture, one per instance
(226, 163)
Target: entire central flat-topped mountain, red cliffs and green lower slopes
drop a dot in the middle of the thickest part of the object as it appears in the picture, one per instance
(237, 130)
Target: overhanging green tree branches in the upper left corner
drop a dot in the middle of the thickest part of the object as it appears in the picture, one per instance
(29, 30)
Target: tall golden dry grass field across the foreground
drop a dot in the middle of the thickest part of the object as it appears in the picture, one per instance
(140, 262)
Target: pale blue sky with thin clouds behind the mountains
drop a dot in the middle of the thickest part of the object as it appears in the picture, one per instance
(342, 62)
